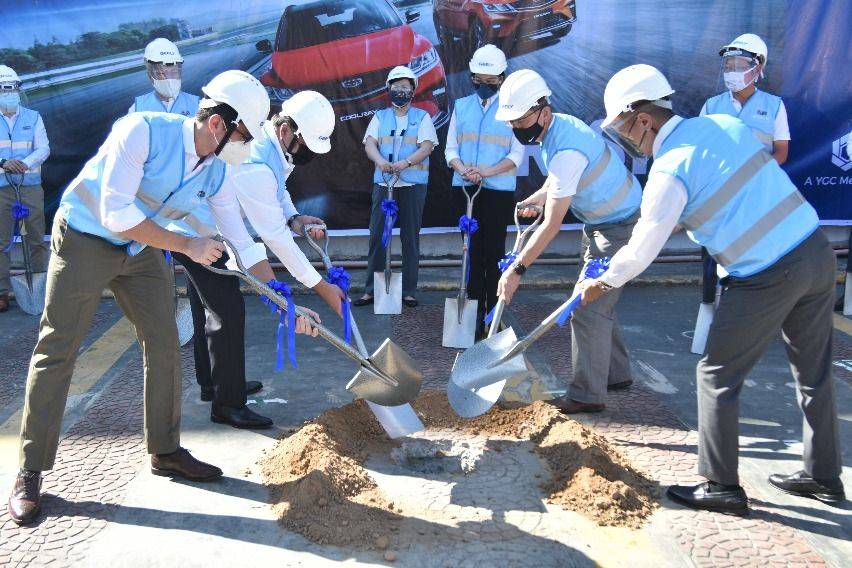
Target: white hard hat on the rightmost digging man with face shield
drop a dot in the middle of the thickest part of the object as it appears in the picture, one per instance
(631, 84)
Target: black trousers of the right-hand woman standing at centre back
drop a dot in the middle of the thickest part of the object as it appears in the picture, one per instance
(493, 210)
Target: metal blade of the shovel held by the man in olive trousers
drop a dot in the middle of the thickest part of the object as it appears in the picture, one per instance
(391, 360)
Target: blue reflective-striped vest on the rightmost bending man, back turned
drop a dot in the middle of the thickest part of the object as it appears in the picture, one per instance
(741, 206)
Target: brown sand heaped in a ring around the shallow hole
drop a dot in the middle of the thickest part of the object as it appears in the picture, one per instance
(320, 489)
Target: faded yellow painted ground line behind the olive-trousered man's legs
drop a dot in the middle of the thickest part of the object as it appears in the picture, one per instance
(91, 366)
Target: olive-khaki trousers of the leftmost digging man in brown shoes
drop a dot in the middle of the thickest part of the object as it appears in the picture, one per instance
(80, 268)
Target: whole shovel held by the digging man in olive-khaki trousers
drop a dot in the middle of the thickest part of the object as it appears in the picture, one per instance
(389, 377)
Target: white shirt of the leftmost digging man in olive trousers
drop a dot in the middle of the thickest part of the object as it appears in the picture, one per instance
(126, 150)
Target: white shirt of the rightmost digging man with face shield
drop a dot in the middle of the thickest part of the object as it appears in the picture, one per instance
(663, 201)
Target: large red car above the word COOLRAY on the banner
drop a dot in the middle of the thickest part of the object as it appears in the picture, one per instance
(344, 49)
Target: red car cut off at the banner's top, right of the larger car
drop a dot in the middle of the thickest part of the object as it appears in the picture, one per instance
(504, 24)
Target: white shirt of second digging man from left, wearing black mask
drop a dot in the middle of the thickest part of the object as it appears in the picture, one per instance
(257, 192)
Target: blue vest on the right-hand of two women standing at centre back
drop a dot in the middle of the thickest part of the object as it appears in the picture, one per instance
(483, 141)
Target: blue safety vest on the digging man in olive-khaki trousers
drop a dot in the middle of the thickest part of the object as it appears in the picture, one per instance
(163, 194)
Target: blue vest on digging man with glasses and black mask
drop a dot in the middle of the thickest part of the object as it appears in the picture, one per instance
(607, 192)
